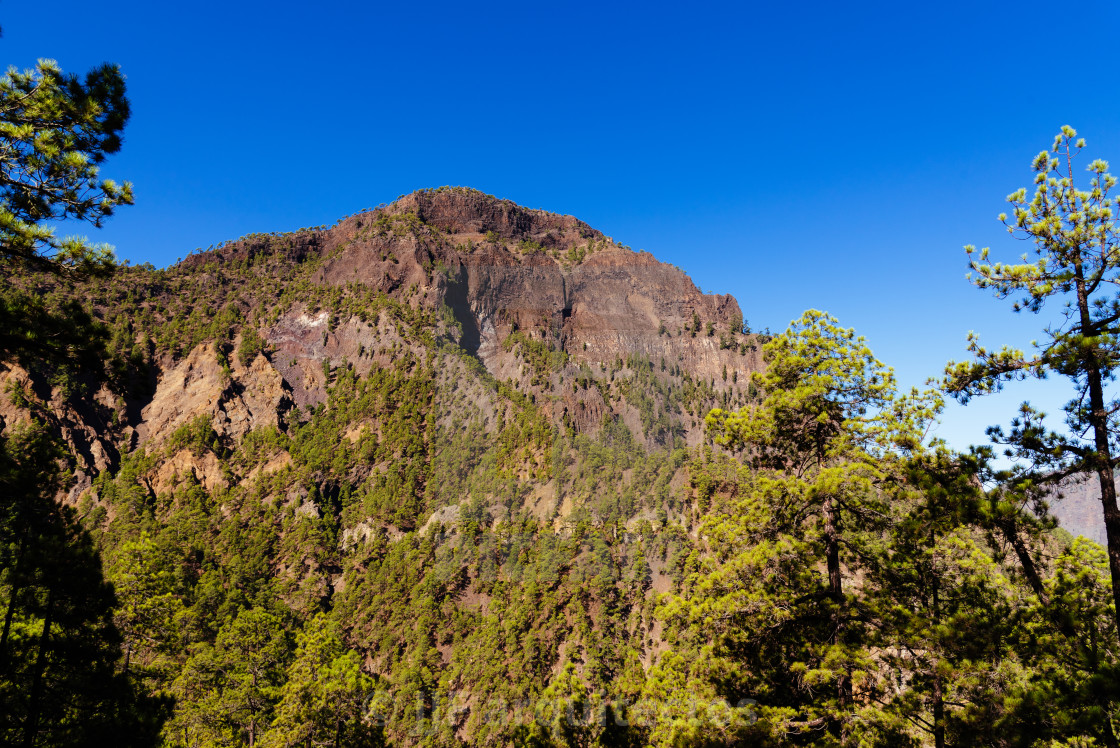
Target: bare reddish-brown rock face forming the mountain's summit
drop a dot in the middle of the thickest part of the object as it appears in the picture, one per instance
(503, 268)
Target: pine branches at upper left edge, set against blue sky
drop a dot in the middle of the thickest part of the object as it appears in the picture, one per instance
(55, 133)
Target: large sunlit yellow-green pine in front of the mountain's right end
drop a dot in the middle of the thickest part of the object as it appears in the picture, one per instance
(825, 440)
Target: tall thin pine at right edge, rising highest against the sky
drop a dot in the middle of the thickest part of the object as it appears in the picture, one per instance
(1077, 265)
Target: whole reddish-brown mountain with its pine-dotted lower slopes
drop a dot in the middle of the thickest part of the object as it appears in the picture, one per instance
(450, 410)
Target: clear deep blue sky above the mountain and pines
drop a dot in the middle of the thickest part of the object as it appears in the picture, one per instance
(822, 155)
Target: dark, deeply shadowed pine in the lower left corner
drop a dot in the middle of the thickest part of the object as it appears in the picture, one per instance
(59, 649)
